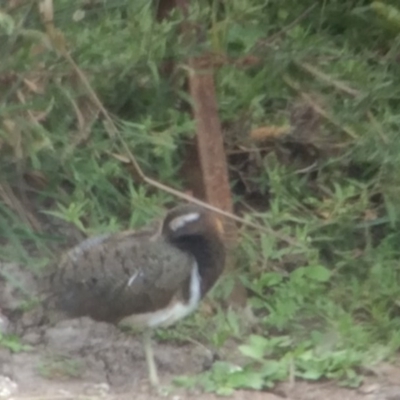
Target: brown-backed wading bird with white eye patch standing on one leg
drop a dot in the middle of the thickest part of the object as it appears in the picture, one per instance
(143, 279)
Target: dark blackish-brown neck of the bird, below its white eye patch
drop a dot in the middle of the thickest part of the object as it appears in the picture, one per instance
(209, 254)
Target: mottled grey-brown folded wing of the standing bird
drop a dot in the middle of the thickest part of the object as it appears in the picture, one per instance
(113, 276)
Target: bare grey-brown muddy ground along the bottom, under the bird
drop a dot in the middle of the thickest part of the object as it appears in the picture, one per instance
(83, 359)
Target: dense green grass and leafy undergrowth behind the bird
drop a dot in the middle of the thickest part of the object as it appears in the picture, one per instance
(309, 101)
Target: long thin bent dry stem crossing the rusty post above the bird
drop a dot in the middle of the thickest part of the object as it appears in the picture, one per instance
(59, 46)
